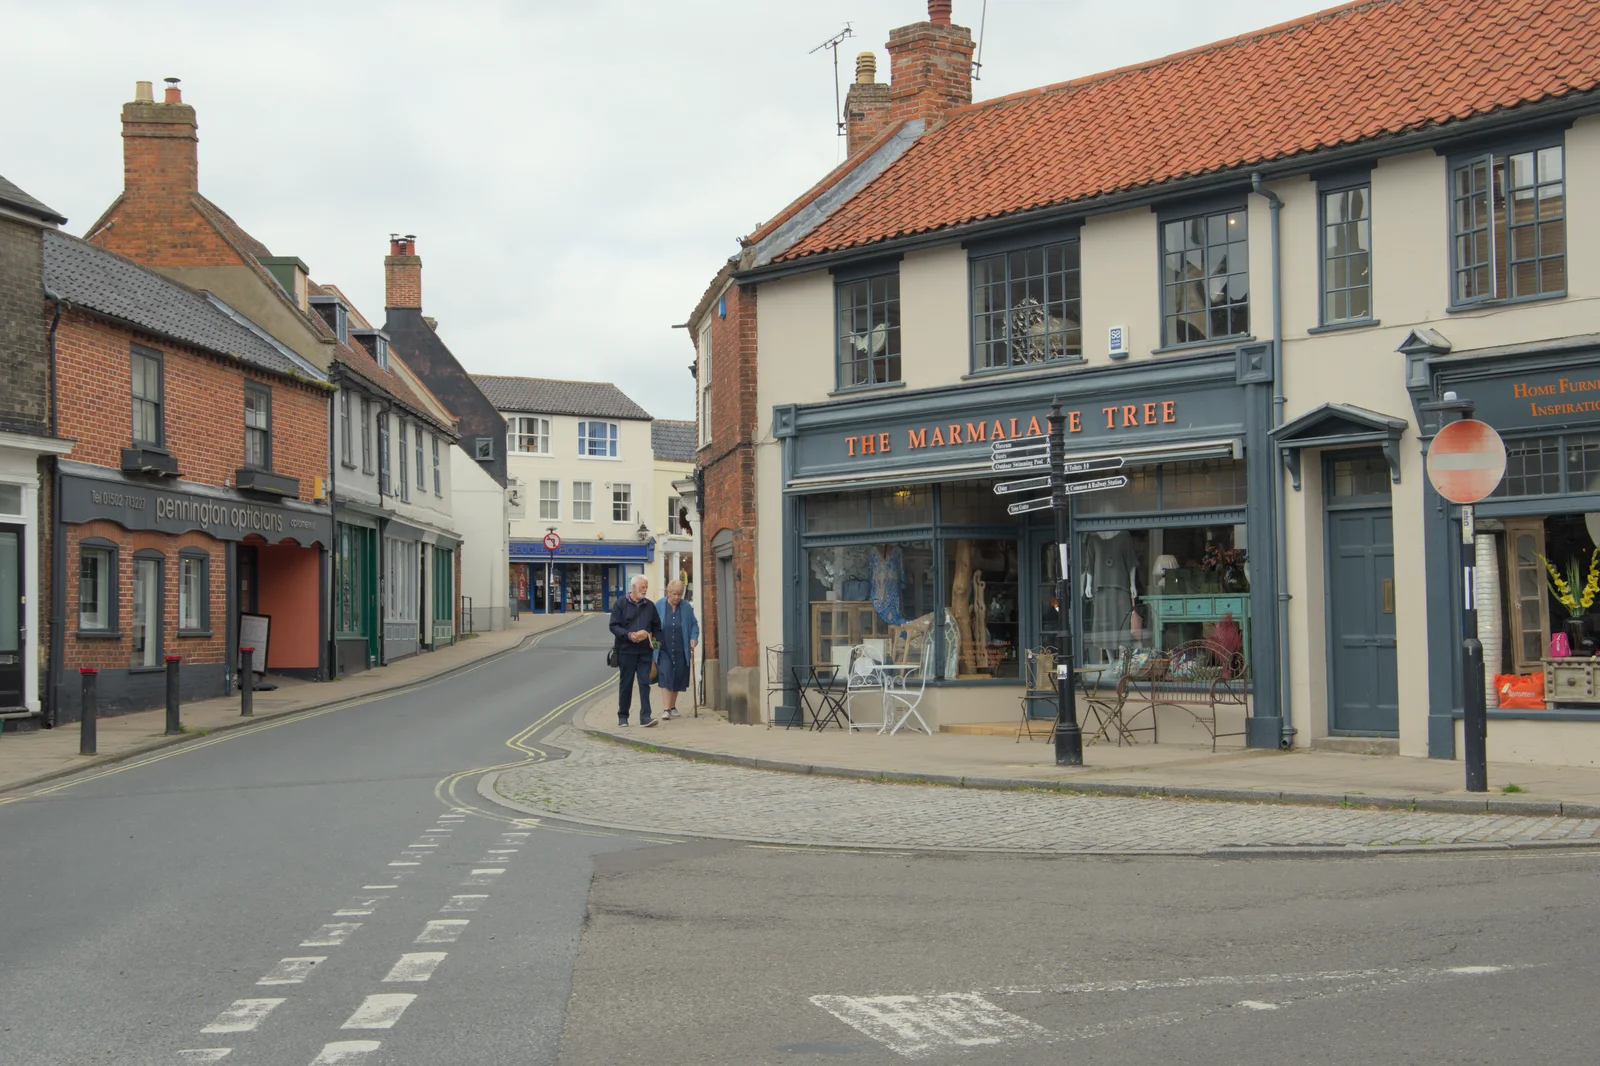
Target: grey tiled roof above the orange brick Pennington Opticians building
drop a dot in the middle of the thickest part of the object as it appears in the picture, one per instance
(102, 283)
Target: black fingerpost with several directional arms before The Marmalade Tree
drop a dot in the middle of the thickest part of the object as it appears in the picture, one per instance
(1049, 454)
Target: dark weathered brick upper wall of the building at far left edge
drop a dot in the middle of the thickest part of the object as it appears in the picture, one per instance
(25, 332)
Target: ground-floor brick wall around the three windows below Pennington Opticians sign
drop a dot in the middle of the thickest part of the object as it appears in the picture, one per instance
(116, 654)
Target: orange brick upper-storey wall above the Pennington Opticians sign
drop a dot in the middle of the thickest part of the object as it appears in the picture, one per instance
(204, 407)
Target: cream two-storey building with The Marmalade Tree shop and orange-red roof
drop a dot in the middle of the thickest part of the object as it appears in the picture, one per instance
(1270, 339)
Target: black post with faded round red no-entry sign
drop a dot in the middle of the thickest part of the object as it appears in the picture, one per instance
(1465, 465)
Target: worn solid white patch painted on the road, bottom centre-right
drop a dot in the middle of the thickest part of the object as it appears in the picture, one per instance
(919, 1027)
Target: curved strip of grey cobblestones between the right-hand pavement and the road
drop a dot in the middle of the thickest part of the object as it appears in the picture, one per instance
(609, 785)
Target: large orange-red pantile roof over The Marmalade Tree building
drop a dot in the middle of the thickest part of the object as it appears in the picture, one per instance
(1338, 78)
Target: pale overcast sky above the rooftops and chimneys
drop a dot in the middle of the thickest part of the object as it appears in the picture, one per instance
(575, 172)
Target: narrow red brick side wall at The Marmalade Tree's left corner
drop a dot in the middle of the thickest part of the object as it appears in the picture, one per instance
(729, 462)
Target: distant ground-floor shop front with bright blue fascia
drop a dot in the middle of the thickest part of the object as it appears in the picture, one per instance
(577, 577)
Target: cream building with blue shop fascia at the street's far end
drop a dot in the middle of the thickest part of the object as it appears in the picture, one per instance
(582, 468)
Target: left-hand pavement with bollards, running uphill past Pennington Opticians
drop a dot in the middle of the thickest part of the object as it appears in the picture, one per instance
(47, 755)
